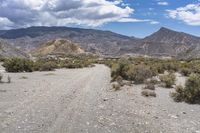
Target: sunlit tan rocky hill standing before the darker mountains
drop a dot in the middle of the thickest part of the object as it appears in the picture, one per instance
(57, 47)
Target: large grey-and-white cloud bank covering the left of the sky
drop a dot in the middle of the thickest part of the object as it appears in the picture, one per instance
(23, 13)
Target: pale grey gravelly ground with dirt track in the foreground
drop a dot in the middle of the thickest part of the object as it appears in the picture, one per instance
(81, 101)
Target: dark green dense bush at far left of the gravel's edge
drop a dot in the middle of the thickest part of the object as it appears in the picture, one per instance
(18, 65)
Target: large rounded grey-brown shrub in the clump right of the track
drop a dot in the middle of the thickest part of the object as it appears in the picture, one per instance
(139, 73)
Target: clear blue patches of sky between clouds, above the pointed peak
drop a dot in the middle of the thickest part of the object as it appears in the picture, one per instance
(149, 9)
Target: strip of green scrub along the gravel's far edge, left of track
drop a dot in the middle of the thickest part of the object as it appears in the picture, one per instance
(26, 65)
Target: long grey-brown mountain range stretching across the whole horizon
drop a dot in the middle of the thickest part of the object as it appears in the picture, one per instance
(164, 42)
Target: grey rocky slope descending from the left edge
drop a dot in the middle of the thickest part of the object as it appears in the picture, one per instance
(6, 50)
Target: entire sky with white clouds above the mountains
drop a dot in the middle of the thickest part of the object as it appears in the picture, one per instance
(137, 18)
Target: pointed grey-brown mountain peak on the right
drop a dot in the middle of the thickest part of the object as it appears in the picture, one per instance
(166, 42)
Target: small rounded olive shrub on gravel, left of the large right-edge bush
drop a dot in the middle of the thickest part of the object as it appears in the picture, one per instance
(168, 79)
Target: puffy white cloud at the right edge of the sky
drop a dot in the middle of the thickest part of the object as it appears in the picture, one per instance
(190, 14)
